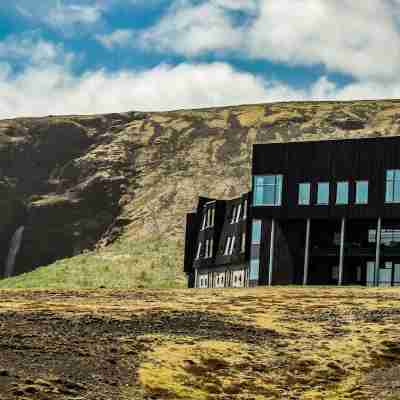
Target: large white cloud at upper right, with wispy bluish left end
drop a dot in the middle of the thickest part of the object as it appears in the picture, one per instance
(359, 38)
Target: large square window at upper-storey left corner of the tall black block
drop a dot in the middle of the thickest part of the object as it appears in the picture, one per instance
(268, 190)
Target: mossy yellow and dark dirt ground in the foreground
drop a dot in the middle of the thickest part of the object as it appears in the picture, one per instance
(280, 343)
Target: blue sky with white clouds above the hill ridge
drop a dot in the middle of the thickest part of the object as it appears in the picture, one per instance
(102, 56)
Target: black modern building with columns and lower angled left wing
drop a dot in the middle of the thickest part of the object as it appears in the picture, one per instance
(324, 213)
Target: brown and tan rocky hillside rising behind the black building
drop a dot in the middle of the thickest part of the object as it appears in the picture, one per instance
(75, 182)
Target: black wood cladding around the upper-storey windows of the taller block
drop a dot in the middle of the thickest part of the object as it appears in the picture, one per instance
(329, 161)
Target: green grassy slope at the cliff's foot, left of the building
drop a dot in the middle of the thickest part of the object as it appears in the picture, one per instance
(151, 263)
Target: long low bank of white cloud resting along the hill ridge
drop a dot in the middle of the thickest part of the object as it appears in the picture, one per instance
(47, 85)
